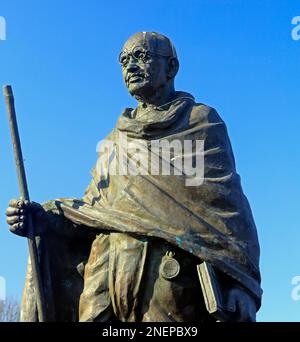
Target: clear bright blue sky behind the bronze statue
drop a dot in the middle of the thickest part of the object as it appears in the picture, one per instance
(236, 55)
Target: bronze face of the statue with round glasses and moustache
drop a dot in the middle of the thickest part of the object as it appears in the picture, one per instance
(144, 73)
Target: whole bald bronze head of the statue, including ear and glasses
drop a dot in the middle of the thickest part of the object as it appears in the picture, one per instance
(149, 64)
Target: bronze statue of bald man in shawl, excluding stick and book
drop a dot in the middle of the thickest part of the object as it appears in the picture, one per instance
(129, 249)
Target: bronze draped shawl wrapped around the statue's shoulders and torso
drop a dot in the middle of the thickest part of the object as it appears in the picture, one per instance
(212, 220)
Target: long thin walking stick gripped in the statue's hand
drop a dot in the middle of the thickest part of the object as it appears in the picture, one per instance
(40, 299)
